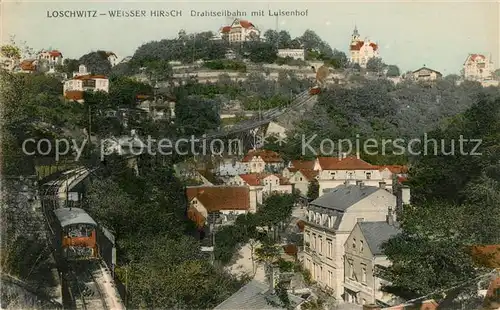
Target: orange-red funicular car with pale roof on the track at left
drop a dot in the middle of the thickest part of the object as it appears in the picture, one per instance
(75, 234)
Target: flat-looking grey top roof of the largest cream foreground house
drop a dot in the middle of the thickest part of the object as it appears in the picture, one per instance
(344, 196)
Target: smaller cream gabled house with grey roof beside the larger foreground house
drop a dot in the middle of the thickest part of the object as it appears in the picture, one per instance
(363, 255)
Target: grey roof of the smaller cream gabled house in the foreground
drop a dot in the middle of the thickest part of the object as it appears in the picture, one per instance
(376, 233)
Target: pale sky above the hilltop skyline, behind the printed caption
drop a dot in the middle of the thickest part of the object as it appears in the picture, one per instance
(410, 33)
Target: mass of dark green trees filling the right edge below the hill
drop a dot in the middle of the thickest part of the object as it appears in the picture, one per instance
(455, 205)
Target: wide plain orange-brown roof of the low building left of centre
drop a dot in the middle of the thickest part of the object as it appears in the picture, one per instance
(218, 198)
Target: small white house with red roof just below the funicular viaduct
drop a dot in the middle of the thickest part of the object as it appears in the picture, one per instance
(259, 161)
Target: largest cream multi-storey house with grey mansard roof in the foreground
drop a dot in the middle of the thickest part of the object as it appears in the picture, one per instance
(330, 220)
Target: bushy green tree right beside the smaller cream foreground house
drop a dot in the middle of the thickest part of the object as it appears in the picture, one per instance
(427, 234)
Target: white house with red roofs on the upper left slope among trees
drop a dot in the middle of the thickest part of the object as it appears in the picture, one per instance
(74, 88)
